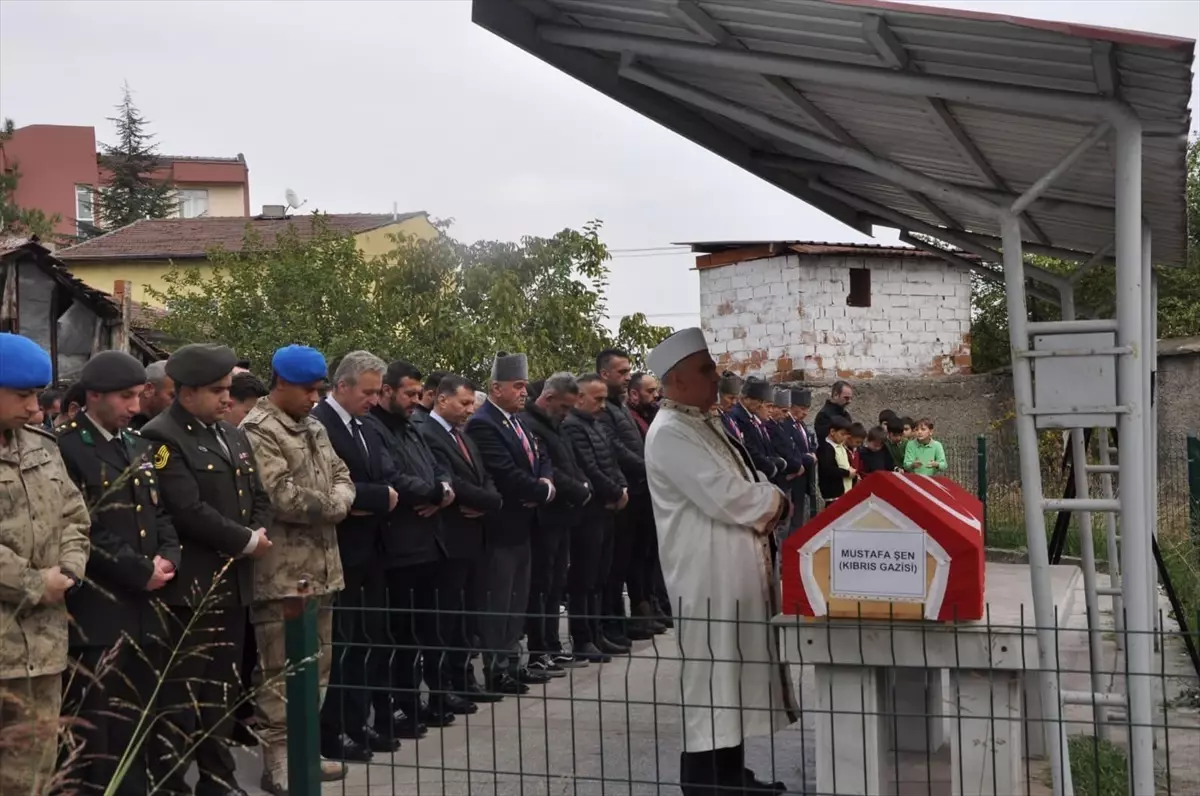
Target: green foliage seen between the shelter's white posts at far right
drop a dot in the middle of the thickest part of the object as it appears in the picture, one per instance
(1179, 292)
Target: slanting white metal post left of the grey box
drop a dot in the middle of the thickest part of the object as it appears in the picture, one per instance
(1035, 517)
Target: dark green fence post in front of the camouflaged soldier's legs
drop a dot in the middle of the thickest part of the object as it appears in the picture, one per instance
(304, 697)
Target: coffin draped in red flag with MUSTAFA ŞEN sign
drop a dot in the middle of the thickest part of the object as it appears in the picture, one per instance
(898, 546)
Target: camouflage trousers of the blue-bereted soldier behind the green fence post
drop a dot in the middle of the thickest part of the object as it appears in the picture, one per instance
(271, 685)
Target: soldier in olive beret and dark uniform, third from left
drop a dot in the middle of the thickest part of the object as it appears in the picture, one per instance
(211, 487)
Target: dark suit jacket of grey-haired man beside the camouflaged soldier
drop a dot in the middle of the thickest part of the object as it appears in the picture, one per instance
(361, 537)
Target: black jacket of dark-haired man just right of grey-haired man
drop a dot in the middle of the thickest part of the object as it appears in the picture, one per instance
(412, 538)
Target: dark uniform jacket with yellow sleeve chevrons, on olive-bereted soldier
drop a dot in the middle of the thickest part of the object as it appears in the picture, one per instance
(215, 500)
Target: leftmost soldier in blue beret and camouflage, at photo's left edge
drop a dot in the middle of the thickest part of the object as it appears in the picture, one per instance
(44, 549)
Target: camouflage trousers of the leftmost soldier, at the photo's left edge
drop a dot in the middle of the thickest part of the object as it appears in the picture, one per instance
(29, 734)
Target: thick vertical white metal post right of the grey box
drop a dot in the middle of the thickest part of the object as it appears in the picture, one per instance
(1131, 379)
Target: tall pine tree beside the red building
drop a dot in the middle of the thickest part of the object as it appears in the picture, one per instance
(131, 191)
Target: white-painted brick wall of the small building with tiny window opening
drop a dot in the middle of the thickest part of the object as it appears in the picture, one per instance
(788, 318)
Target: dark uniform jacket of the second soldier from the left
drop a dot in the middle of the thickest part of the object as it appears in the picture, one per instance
(129, 529)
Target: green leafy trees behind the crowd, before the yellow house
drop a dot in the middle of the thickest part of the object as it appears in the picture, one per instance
(442, 304)
